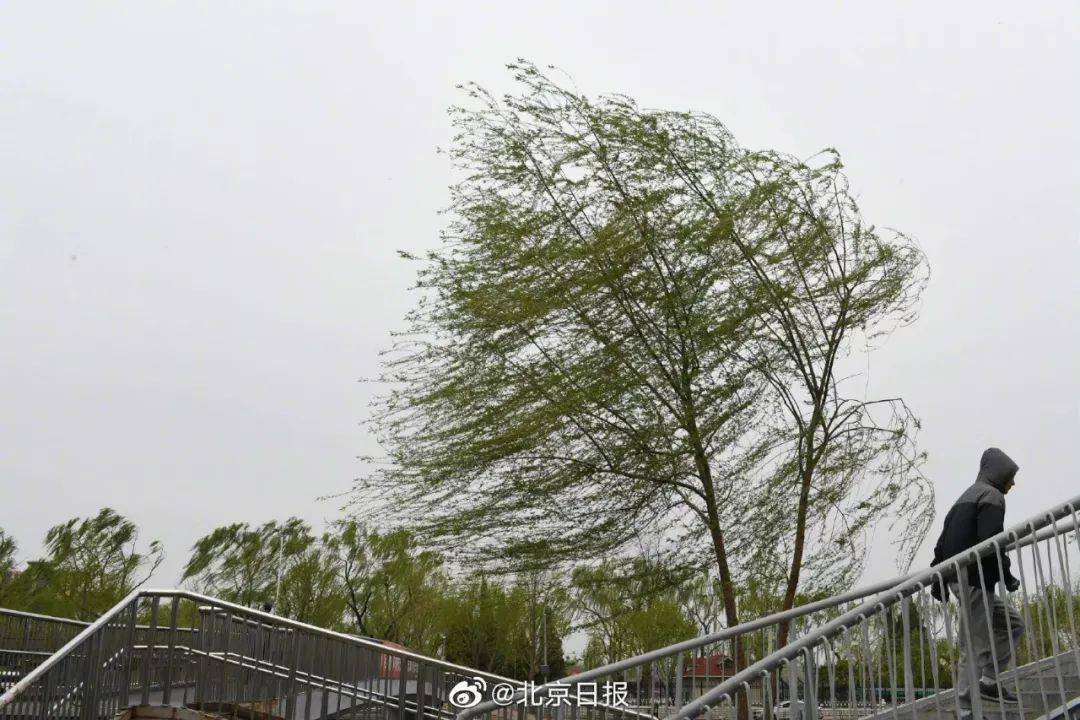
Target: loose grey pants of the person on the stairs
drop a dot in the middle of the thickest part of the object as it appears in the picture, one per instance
(989, 641)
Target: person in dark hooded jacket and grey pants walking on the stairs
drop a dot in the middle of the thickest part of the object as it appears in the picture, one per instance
(978, 515)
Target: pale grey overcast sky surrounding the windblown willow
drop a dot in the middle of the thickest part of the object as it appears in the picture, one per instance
(200, 207)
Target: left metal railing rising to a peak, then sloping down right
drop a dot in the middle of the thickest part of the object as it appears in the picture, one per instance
(228, 658)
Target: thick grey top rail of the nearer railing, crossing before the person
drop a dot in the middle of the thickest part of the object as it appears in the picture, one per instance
(1045, 522)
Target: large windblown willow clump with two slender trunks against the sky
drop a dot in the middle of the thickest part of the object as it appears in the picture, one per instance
(636, 328)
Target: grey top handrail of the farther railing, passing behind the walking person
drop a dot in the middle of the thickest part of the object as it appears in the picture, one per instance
(727, 634)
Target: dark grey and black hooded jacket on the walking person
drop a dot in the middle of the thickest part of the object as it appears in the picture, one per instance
(978, 515)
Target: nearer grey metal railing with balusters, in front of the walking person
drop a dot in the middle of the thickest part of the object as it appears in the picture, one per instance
(906, 655)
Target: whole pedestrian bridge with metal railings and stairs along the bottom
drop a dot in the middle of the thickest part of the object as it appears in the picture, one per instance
(887, 650)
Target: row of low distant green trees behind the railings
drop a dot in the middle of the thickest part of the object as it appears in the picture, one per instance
(357, 580)
